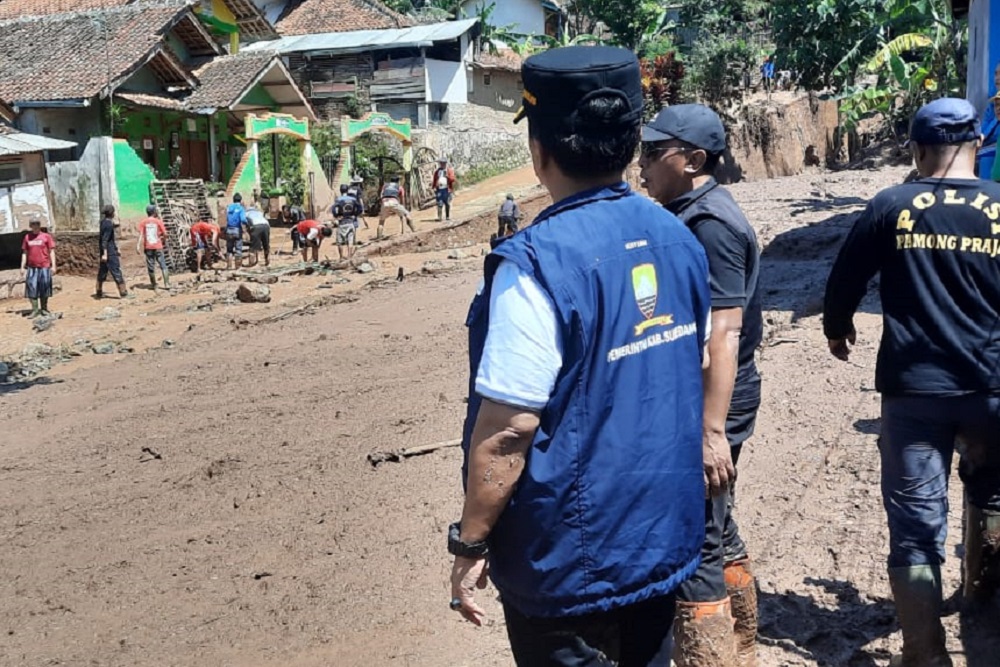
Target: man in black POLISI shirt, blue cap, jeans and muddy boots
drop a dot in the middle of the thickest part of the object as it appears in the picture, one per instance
(936, 243)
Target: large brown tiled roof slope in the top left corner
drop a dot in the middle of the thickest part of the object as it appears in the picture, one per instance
(69, 56)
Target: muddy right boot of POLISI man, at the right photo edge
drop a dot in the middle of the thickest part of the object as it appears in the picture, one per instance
(981, 569)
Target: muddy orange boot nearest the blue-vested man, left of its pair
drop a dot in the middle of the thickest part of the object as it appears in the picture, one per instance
(703, 635)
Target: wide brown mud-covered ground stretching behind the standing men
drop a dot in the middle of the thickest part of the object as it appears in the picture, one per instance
(262, 536)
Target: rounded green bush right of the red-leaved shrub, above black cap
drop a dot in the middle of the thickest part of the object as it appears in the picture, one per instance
(717, 69)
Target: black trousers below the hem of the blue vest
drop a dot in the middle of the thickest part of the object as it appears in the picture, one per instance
(638, 635)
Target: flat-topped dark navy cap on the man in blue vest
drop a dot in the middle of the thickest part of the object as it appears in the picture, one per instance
(557, 82)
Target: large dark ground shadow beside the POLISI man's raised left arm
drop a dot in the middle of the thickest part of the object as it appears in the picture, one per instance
(795, 266)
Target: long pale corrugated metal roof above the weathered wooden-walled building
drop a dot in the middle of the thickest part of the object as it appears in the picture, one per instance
(368, 39)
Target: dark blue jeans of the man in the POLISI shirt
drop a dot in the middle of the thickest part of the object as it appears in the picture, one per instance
(919, 437)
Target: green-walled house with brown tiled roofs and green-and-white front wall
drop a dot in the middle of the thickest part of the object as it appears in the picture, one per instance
(144, 90)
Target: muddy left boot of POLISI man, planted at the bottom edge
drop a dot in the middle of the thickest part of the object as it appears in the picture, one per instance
(917, 592)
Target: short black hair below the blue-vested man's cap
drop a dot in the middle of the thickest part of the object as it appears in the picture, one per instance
(603, 152)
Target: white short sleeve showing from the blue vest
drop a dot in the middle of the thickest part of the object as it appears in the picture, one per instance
(523, 352)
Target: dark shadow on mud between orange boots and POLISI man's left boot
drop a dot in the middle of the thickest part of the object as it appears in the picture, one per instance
(828, 636)
